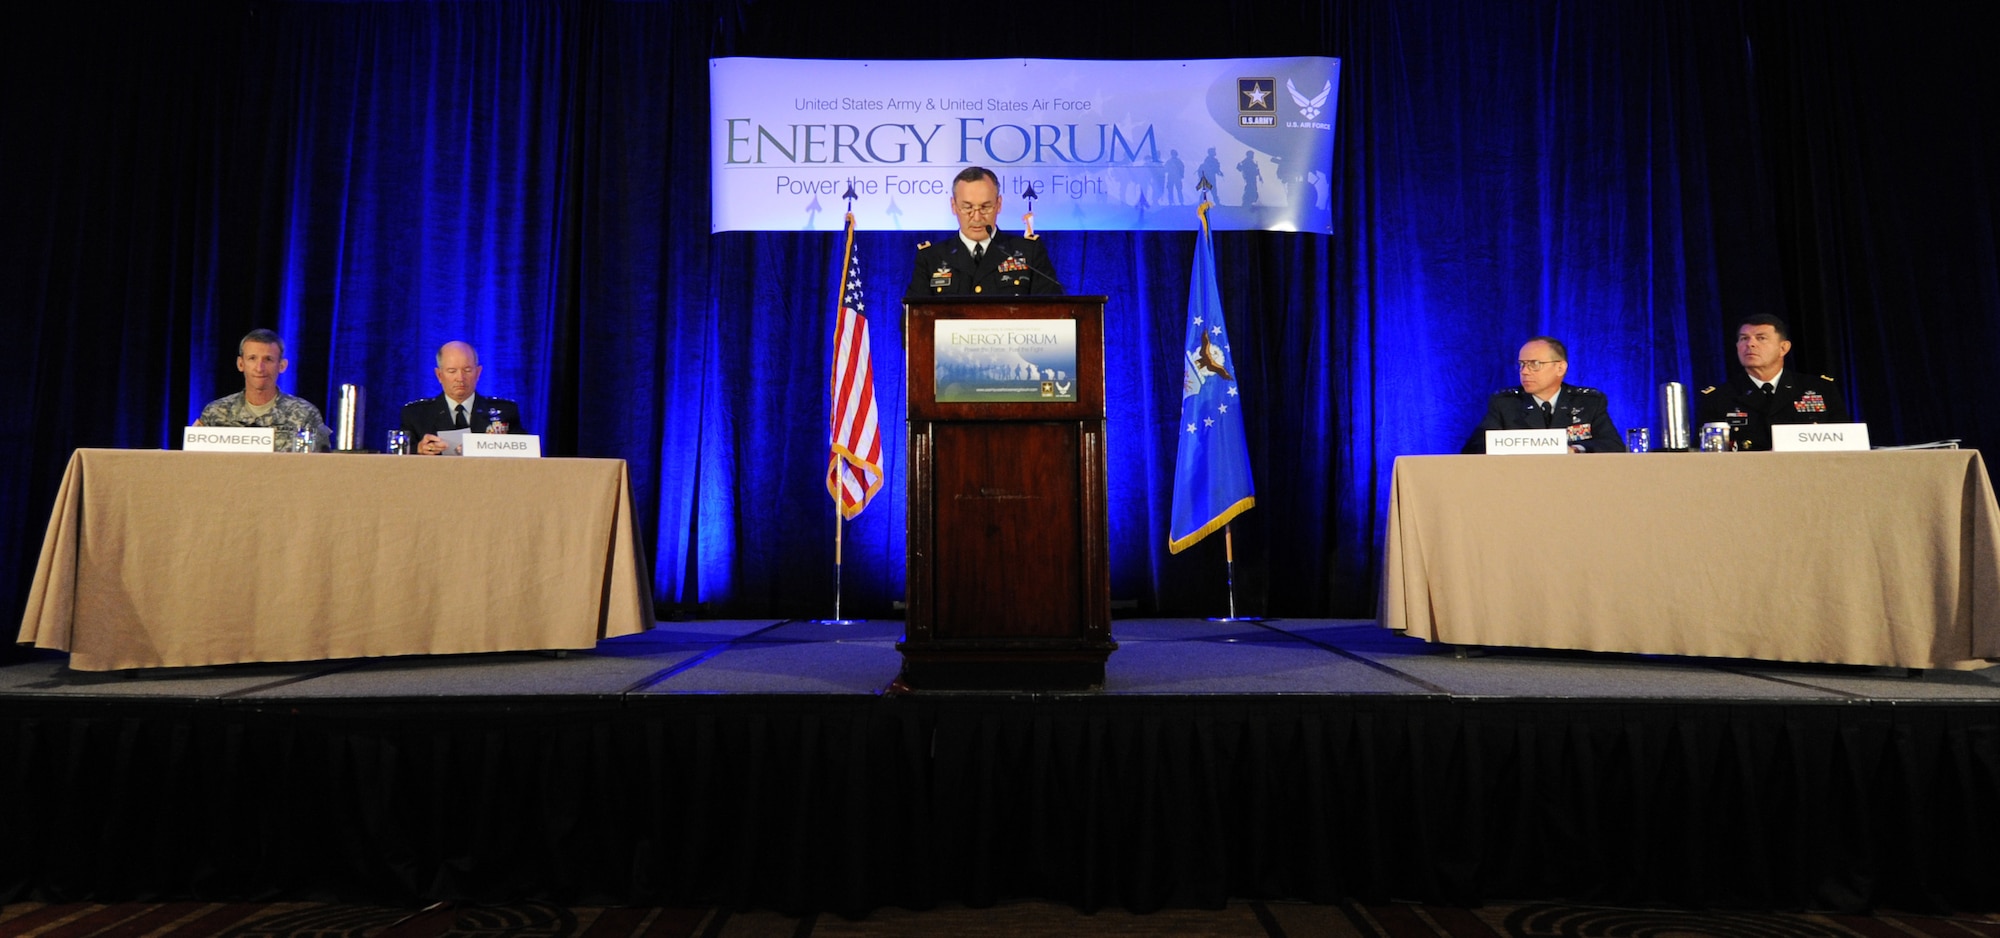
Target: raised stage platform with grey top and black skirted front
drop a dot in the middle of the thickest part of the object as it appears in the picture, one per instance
(761, 765)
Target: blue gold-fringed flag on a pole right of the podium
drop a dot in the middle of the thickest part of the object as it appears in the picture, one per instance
(1213, 463)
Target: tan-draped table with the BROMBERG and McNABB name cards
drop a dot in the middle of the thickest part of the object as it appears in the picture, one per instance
(183, 559)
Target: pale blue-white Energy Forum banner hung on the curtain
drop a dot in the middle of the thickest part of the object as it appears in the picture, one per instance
(1103, 145)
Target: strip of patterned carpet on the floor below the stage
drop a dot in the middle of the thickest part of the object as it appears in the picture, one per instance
(1013, 919)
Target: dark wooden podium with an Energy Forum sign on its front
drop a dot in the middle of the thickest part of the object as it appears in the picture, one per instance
(1009, 571)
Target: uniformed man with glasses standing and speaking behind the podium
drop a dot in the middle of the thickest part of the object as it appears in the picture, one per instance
(981, 261)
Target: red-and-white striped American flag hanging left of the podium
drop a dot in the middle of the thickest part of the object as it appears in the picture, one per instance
(855, 469)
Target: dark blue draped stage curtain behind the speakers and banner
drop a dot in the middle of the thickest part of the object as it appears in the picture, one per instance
(375, 179)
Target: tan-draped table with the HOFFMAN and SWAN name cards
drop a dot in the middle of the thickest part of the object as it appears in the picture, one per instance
(1887, 559)
